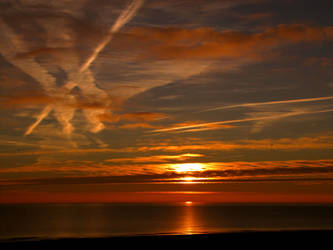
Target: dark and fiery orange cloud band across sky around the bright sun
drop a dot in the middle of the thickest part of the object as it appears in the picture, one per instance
(265, 171)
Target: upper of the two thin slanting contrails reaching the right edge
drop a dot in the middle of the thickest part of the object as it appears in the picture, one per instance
(269, 103)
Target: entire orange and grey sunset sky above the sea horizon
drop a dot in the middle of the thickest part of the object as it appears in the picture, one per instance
(166, 101)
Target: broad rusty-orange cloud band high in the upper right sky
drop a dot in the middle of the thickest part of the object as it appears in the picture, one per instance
(210, 43)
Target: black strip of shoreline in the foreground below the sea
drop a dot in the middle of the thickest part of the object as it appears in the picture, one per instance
(318, 238)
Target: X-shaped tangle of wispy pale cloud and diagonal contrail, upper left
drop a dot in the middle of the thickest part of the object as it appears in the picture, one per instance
(78, 76)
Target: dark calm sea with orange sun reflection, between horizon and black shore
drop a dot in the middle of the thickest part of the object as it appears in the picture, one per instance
(107, 220)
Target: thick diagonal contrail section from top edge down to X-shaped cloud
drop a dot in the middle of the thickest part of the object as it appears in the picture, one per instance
(124, 18)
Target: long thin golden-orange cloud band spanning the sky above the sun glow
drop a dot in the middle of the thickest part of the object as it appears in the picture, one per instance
(323, 142)
